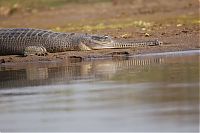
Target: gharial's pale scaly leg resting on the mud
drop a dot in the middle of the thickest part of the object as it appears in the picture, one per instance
(35, 50)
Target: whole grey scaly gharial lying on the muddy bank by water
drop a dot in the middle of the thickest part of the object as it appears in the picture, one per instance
(28, 41)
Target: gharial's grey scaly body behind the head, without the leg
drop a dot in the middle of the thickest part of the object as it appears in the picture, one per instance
(14, 41)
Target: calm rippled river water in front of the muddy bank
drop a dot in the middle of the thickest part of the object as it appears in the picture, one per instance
(157, 92)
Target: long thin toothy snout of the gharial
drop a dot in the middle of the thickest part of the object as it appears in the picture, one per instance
(131, 44)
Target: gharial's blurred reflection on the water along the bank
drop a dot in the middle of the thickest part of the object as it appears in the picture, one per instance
(48, 74)
